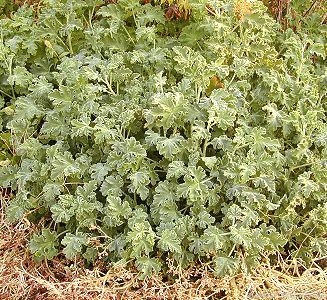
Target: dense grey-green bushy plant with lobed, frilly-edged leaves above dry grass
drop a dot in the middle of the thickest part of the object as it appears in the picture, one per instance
(141, 132)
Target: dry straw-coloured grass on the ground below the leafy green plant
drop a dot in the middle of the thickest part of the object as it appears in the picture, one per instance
(21, 278)
